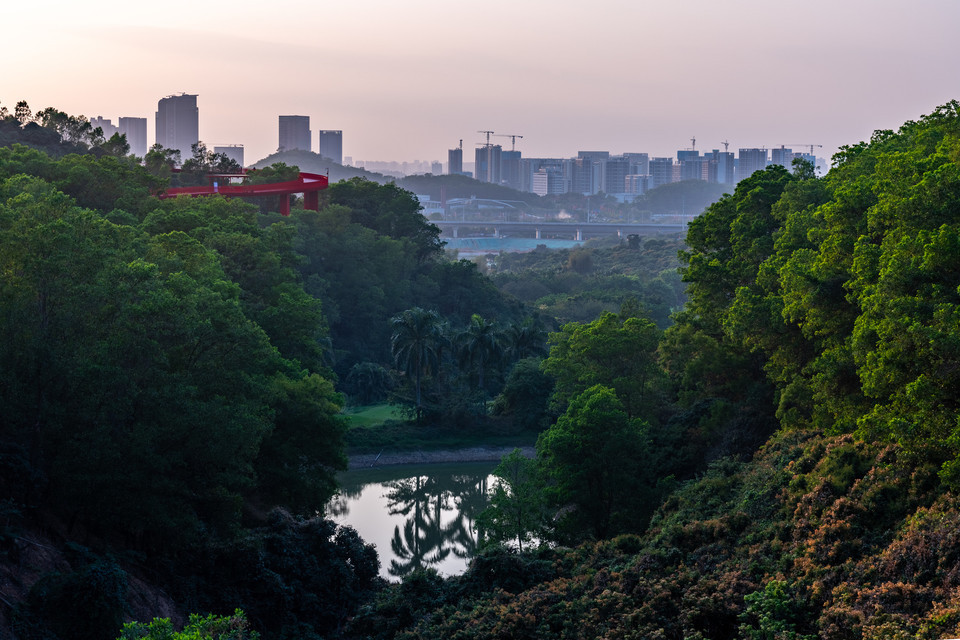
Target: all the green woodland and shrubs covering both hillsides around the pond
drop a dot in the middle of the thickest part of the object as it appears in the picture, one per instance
(770, 452)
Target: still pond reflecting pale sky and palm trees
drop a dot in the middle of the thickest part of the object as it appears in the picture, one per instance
(418, 516)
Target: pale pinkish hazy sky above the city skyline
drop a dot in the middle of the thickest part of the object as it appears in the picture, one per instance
(407, 80)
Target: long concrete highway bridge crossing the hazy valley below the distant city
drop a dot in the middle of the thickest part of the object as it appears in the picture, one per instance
(556, 229)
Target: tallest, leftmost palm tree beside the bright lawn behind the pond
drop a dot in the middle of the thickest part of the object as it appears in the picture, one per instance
(415, 342)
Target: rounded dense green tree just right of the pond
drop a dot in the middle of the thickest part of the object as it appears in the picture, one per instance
(594, 458)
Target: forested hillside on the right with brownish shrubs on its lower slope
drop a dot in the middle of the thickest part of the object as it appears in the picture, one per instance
(824, 319)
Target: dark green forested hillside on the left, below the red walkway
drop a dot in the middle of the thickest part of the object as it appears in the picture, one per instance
(172, 377)
